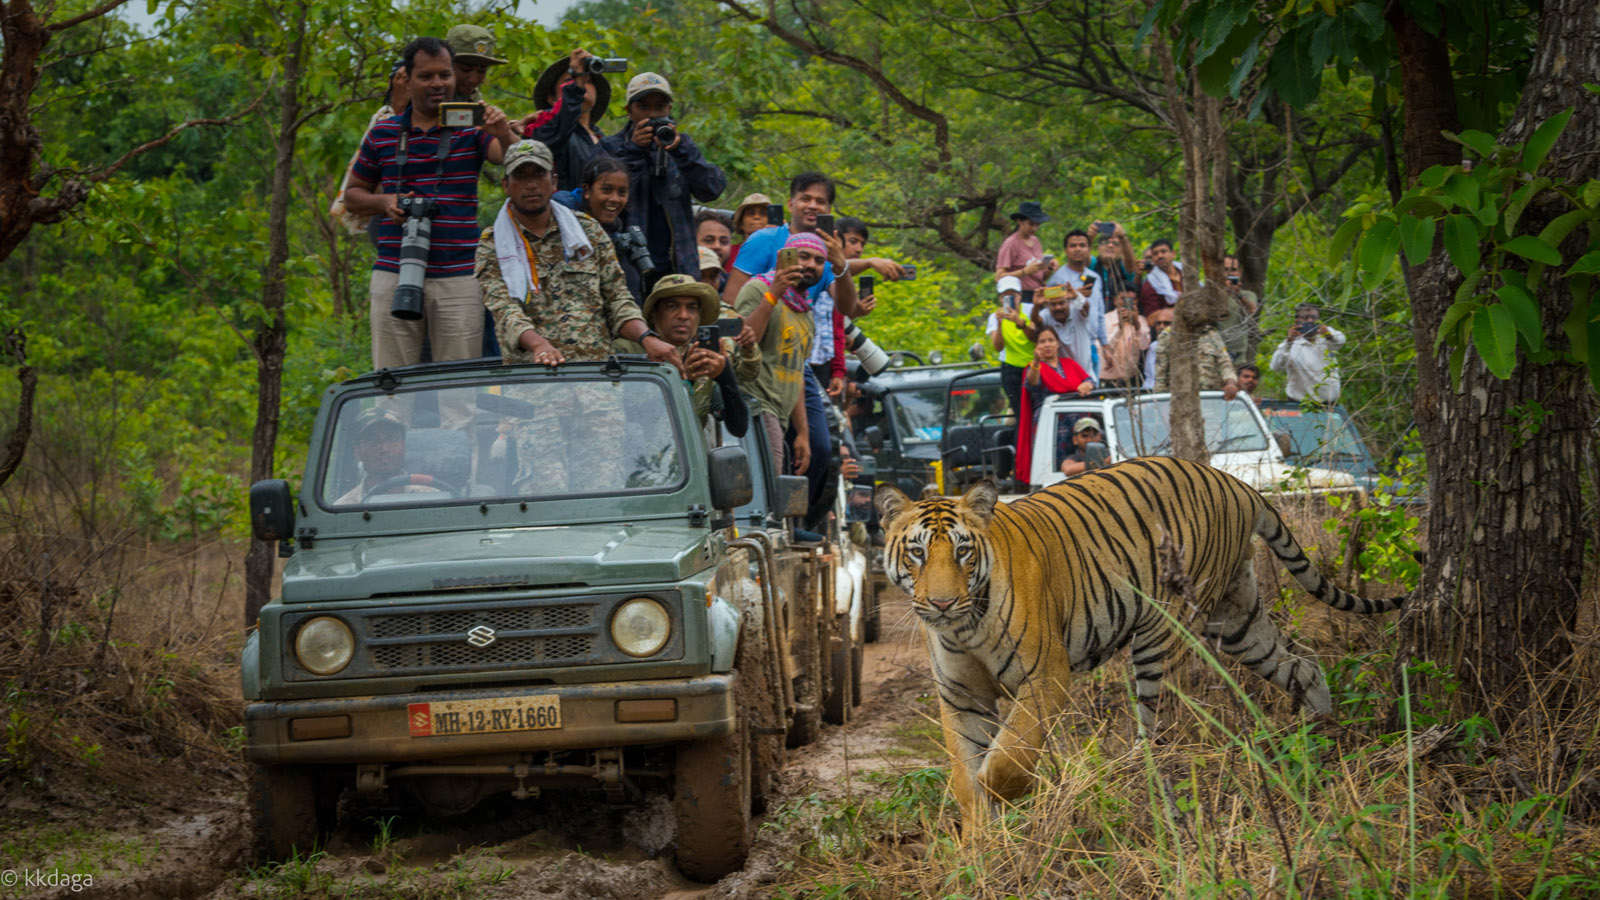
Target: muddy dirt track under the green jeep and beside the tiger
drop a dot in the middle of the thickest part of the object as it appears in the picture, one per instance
(554, 848)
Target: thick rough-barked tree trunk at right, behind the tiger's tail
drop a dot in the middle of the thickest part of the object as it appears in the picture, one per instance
(1505, 545)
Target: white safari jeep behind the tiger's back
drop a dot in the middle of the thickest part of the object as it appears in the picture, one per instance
(1138, 425)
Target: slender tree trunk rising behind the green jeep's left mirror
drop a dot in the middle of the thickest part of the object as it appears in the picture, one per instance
(271, 337)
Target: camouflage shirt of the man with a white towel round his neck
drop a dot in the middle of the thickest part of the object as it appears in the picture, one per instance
(580, 305)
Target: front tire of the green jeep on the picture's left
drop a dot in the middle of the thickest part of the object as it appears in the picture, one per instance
(292, 811)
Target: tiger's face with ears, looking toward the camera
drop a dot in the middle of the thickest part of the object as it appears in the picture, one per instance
(938, 550)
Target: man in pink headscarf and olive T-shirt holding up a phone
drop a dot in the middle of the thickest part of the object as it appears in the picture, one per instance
(778, 310)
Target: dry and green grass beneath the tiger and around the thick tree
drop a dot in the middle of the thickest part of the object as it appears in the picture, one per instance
(1242, 798)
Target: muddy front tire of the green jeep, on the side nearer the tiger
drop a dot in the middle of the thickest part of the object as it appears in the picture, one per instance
(711, 797)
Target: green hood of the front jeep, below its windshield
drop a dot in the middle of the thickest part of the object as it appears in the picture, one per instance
(494, 560)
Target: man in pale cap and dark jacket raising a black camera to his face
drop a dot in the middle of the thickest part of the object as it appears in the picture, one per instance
(665, 179)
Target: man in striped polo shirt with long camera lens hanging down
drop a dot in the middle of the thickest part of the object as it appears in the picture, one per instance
(414, 155)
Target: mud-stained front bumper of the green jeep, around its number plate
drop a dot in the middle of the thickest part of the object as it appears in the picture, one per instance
(377, 729)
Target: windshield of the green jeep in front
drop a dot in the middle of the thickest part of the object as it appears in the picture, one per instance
(510, 440)
